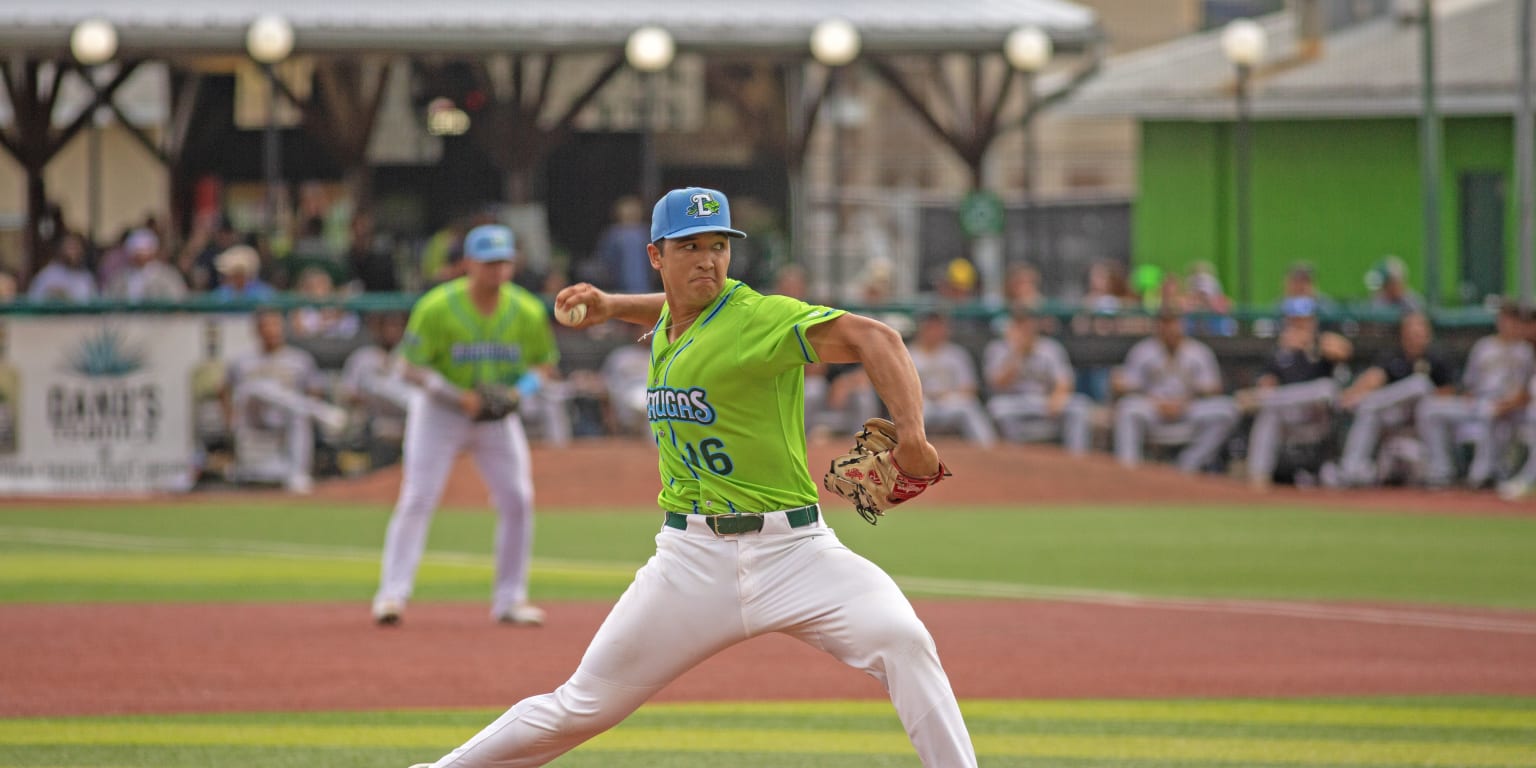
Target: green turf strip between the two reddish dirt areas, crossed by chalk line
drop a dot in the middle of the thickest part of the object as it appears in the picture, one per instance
(311, 552)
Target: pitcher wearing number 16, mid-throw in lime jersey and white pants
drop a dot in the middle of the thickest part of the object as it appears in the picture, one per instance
(744, 549)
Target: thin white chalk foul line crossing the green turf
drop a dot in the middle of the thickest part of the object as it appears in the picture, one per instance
(952, 588)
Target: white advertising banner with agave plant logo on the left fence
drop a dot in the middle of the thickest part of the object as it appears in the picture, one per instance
(98, 405)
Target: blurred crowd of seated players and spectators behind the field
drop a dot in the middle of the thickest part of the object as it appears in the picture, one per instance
(1316, 414)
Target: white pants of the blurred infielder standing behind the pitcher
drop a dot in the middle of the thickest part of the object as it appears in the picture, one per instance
(434, 437)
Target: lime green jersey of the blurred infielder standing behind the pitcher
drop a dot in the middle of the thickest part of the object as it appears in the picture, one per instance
(449, 336)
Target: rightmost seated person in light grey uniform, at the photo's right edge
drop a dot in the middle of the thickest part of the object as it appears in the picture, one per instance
(1494, 394)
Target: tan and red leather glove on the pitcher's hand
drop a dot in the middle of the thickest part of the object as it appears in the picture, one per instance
(869, 475)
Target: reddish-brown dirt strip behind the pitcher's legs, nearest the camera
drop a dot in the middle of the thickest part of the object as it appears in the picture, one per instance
(107, 660)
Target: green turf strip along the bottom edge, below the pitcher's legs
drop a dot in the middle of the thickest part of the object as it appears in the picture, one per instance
(1465, 732)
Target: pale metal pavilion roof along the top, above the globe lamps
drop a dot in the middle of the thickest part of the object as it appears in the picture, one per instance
(191, 27)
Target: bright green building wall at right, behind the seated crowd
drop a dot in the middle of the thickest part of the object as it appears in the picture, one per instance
(1337, 193)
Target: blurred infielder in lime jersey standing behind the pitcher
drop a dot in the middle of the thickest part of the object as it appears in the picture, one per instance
(463, 337)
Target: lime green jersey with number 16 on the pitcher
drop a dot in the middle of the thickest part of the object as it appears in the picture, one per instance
(727, 405)
